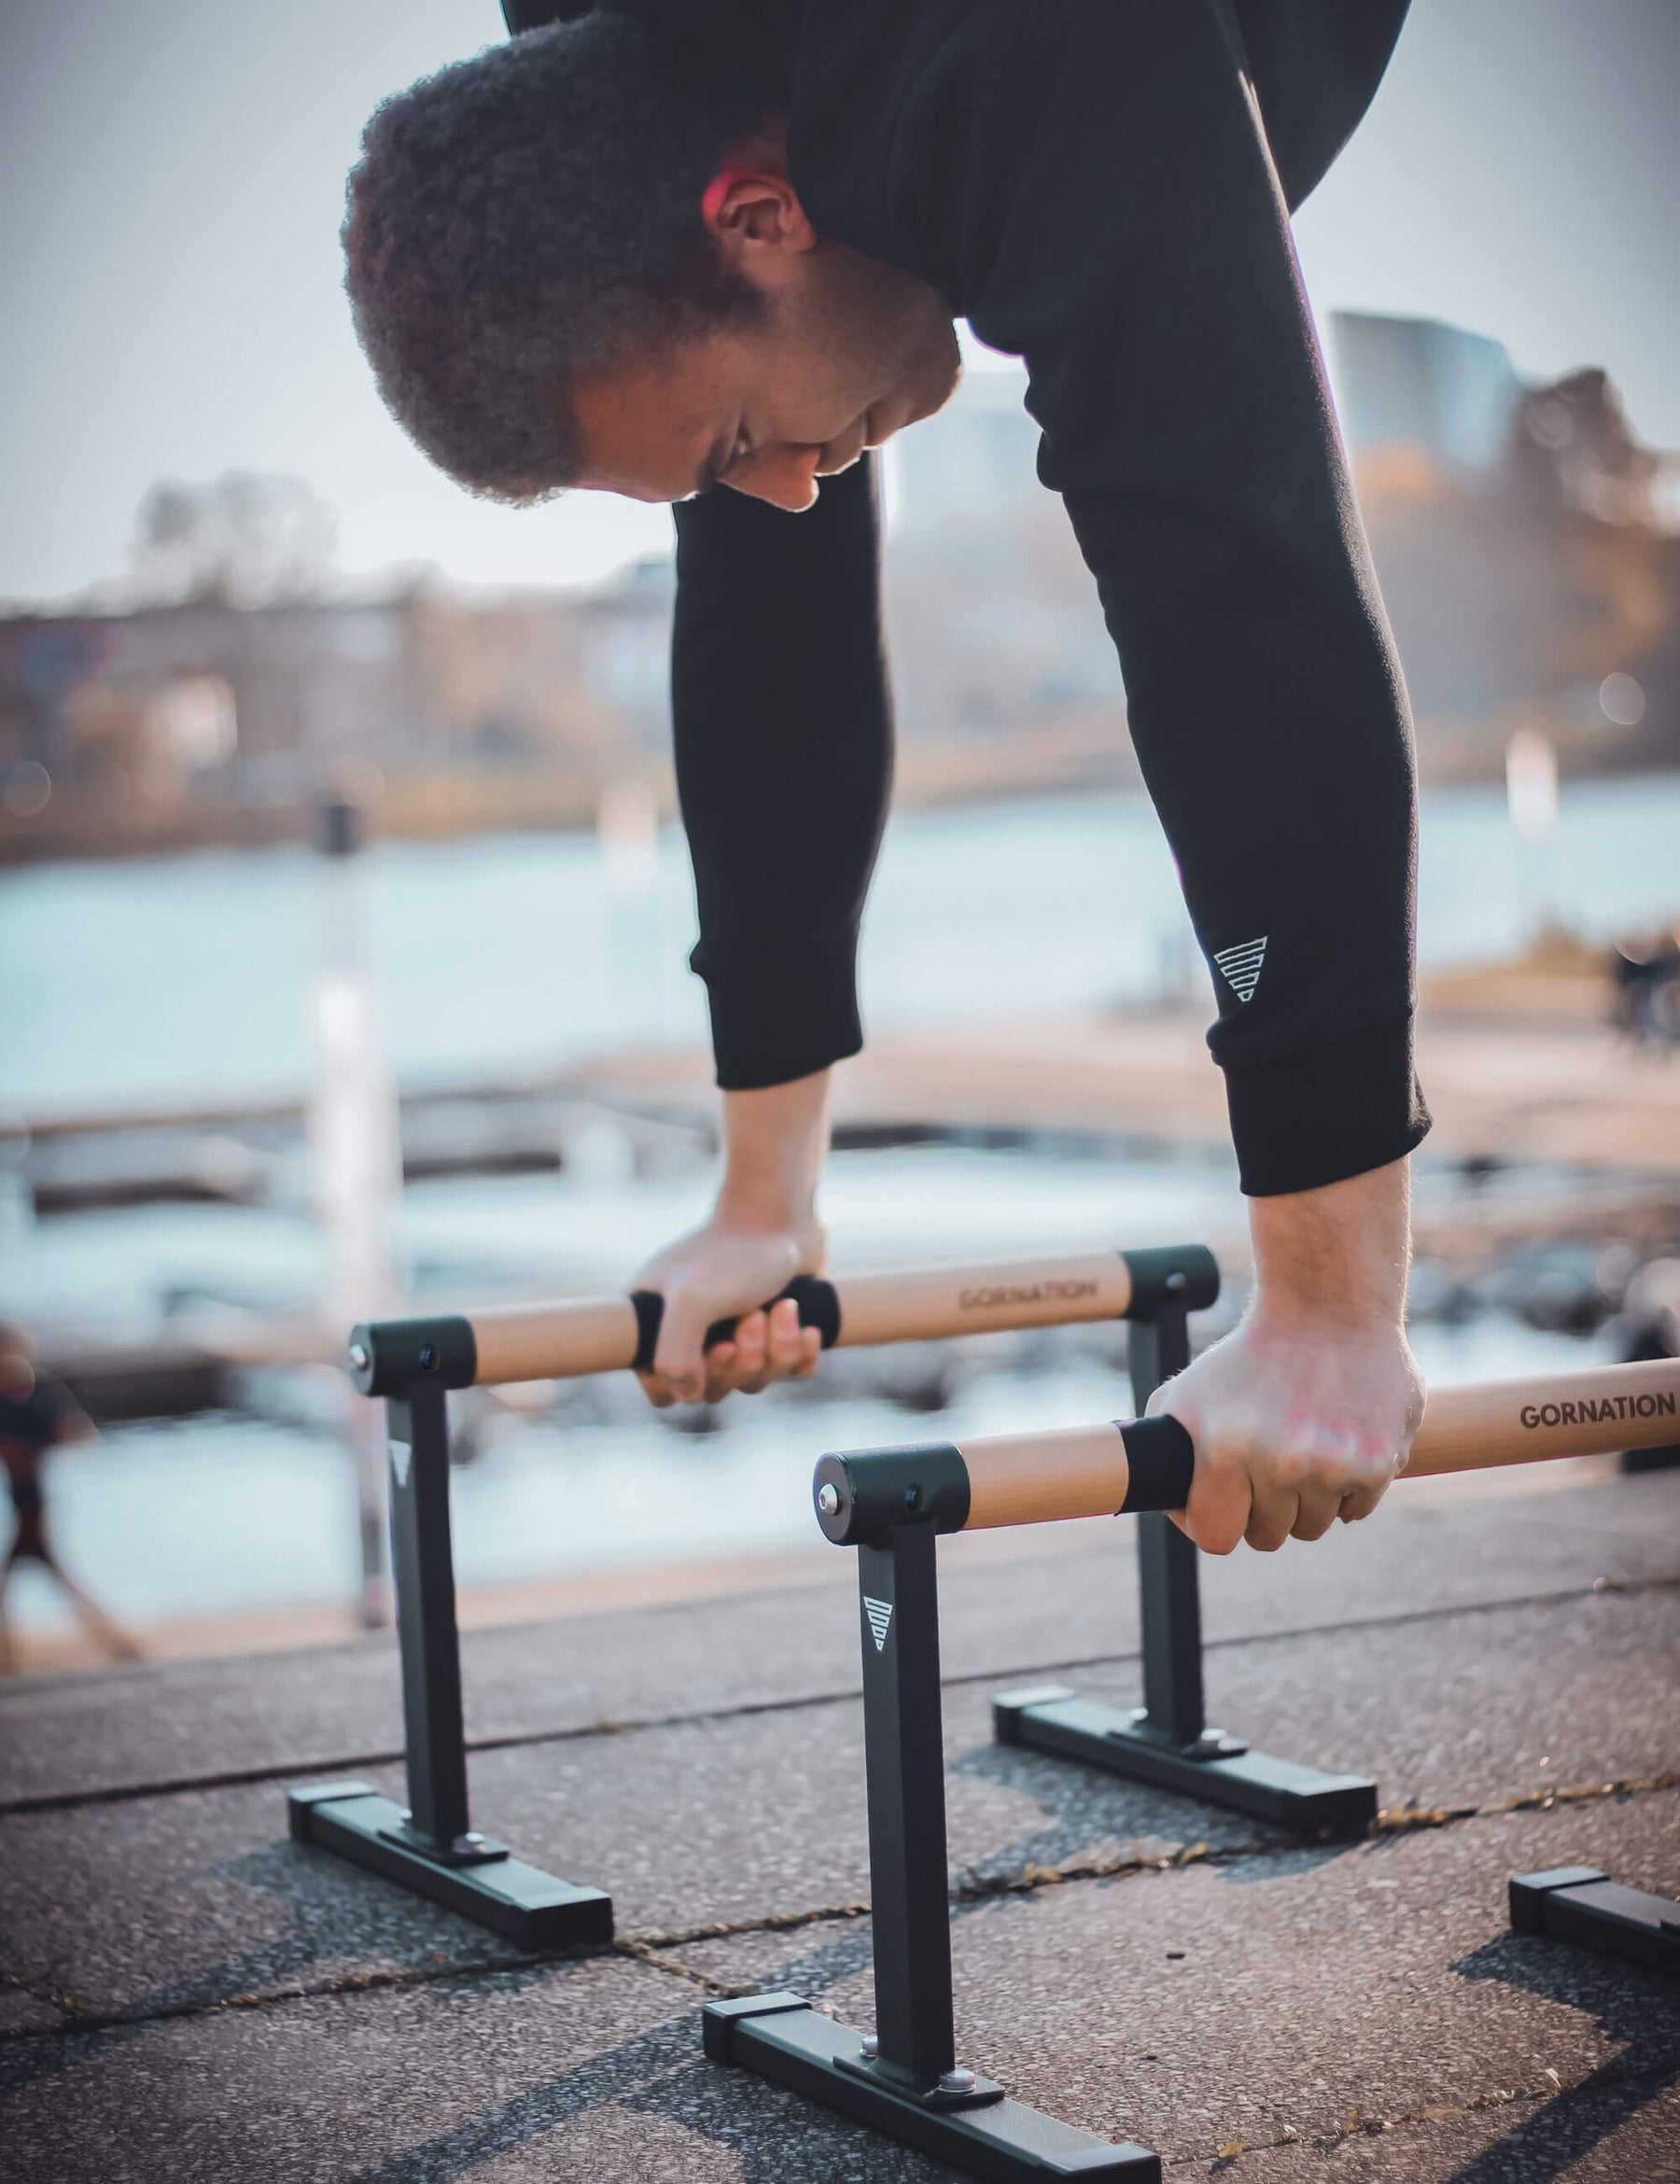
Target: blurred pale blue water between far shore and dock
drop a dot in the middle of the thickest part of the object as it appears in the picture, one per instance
(187, 980)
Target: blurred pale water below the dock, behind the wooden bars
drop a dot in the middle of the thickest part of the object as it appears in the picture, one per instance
(239, 1512)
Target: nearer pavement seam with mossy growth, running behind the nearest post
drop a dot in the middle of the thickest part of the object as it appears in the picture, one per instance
(652, 1949)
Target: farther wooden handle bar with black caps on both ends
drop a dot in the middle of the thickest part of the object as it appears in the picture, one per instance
(552, 1342)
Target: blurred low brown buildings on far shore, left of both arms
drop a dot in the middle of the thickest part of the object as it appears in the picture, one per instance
(211, 722)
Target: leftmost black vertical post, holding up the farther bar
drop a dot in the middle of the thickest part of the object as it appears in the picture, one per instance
(425, 1587)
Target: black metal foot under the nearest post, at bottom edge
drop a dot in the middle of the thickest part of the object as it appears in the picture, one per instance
(794, 2045)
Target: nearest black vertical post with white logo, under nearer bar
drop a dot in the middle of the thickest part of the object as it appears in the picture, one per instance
(908, 1803)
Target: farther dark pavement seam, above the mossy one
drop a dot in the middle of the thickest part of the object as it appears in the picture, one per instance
(748, 1709)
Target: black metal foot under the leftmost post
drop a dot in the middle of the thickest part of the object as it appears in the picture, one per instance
(512, 1899)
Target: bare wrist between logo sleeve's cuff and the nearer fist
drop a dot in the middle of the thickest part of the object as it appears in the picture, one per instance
(1336, 1259)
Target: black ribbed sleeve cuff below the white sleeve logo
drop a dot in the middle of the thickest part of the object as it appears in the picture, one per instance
(1323, 1115)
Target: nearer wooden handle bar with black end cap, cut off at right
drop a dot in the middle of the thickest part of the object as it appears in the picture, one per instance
(1148, 1464)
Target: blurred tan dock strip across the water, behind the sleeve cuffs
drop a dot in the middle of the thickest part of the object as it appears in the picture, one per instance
(1502, 1084)
